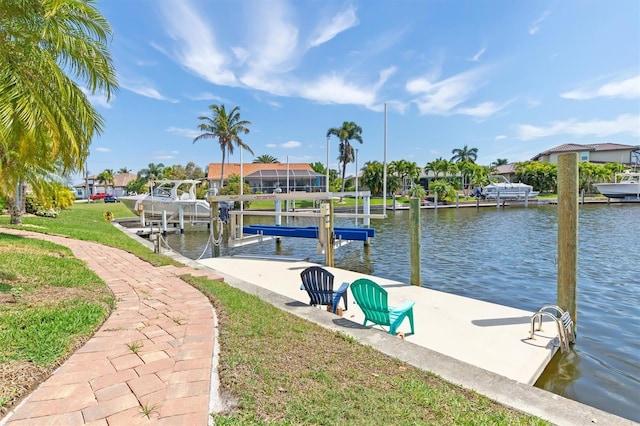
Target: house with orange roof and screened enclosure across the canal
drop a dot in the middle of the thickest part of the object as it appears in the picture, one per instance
(267, 177)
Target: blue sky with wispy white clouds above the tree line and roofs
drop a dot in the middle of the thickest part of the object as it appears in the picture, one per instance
(511, 78)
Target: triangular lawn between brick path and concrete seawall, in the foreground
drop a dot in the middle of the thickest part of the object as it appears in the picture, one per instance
(286, 370)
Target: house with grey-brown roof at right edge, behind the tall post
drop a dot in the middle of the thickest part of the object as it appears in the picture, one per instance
(594, 153)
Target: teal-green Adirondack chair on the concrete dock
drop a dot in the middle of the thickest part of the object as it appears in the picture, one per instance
(372, 299)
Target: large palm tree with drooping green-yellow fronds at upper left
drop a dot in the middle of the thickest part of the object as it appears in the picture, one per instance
(49, 53)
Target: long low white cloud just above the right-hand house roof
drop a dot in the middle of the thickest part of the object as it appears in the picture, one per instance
(626, 123)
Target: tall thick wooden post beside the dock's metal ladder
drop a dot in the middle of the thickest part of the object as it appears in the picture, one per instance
(568, 233)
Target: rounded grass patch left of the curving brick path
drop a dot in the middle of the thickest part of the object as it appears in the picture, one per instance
(50, 304)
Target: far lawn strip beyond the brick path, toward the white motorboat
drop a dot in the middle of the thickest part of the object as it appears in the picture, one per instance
(85, 221)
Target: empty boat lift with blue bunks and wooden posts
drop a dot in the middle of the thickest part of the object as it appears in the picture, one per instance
(325, 215)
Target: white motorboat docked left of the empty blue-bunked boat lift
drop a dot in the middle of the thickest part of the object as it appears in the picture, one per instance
(169, 196)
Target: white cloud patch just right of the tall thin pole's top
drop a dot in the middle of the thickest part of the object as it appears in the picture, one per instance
(442, 97)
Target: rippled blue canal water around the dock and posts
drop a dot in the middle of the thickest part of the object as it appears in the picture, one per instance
(508, 256)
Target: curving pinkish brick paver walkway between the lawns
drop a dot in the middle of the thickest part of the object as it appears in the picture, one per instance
(151, 361)
